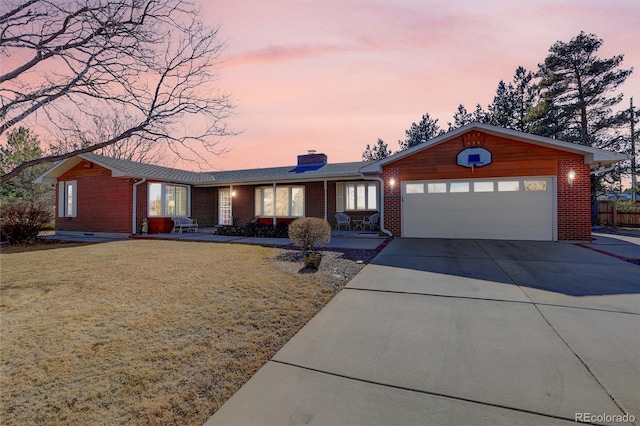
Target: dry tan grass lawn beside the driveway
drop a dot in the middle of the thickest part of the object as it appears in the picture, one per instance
(140, 332)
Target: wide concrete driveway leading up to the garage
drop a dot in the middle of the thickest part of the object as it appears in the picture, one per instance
(448, 332)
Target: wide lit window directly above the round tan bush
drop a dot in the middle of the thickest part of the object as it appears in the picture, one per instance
(288, 201)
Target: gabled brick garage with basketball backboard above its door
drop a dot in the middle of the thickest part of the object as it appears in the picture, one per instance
(484, 182)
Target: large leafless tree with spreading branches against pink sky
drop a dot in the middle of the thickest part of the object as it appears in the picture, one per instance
(72, 65)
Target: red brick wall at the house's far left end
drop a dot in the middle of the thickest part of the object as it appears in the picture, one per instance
(104, 205)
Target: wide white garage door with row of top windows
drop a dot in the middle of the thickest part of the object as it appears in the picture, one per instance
(509, 208)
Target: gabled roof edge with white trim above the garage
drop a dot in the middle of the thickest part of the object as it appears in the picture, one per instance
(594, 156)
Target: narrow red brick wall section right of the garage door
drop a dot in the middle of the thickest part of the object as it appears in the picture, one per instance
(574, 201)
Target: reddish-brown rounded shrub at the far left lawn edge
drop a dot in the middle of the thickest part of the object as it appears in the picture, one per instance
(21, 221)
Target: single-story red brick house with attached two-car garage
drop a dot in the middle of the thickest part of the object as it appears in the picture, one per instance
(478, 181)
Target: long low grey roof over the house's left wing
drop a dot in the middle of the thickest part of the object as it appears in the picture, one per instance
(131, 169)
